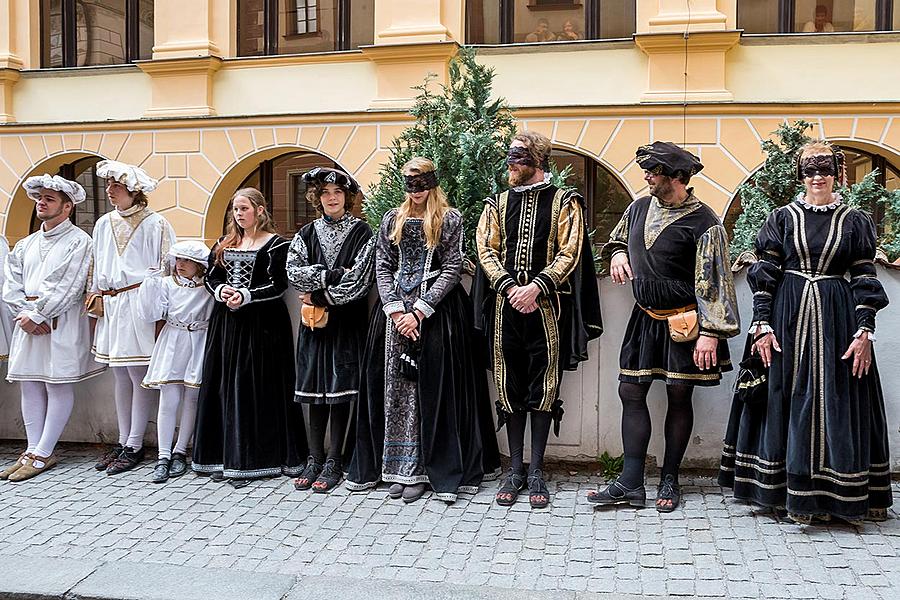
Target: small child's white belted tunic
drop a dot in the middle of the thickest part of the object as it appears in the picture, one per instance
(186, 307)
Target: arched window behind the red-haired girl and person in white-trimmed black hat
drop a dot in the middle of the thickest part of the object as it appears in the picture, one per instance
(281, 182)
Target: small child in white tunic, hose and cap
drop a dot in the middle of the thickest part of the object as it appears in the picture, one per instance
(183, 306)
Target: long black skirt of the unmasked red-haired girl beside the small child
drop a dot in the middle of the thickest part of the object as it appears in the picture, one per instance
(248, 425)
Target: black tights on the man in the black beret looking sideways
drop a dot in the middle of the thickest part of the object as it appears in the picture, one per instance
(636, 429)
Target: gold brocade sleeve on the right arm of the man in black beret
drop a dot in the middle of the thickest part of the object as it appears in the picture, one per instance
(714, 286)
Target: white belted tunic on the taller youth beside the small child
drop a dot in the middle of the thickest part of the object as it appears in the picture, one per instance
(126, 245)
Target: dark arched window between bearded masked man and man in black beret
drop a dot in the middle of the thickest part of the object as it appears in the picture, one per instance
(606, 198)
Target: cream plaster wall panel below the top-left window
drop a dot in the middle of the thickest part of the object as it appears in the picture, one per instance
(119, 93)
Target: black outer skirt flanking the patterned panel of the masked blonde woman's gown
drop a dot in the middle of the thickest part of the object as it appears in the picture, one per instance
(459, 445)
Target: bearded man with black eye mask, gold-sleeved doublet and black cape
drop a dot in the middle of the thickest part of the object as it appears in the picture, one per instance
(538, 303)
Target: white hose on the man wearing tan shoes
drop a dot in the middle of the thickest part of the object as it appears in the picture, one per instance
(46, 408)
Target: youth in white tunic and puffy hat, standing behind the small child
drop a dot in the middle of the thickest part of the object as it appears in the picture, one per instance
(127, 242)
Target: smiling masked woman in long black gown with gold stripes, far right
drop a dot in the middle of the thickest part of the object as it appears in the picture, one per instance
(818, 447)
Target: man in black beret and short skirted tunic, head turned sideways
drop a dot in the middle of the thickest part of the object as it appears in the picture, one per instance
(674, 251)
